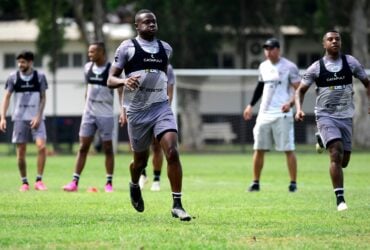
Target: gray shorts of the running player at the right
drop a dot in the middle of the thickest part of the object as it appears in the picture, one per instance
(334, 128)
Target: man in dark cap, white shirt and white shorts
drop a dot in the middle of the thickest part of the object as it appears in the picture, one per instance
(278, 77)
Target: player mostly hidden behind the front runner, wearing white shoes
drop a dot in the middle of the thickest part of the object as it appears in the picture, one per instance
(157, 158)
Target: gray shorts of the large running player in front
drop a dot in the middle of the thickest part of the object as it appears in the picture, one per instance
(143, 125)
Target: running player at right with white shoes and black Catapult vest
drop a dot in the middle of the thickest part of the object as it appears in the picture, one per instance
(334, 107)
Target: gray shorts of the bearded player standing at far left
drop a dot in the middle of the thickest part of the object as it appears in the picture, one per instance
(21, 132)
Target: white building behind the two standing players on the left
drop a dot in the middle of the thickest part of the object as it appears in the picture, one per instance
(20, 35)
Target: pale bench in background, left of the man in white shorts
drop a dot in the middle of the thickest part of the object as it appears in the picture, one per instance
(218, 131)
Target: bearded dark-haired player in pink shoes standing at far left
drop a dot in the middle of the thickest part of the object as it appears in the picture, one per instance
(29, 87)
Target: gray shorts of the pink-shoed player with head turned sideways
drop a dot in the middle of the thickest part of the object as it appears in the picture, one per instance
(90, 124)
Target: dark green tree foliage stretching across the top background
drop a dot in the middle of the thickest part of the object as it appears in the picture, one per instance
(184, 23)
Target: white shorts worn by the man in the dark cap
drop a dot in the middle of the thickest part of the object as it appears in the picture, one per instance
(279, 130)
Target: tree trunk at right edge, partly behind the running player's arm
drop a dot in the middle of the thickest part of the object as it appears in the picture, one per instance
(361, 121)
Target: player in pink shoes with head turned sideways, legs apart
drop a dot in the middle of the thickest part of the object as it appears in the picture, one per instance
(97, 116)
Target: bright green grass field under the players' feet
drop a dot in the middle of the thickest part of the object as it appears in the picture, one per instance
(226, 216)
